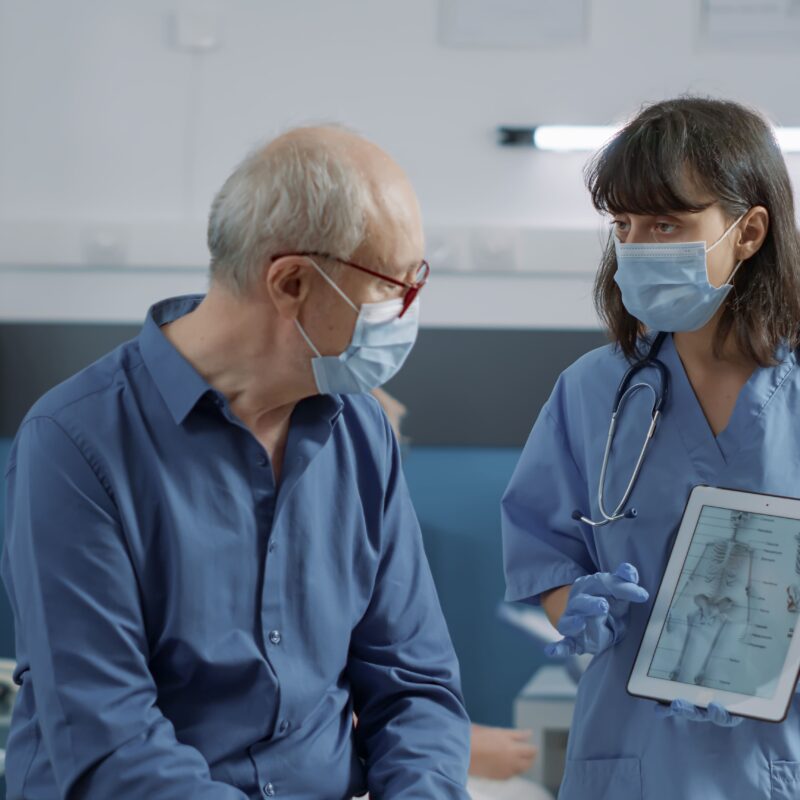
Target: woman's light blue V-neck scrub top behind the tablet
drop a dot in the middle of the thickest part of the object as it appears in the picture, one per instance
(618, 748)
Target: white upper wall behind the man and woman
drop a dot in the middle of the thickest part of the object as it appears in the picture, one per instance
(112, 141)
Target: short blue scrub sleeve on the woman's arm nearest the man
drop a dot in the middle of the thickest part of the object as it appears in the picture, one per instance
(543, 546)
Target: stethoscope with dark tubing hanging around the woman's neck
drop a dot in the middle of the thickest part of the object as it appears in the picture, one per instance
(624, 393)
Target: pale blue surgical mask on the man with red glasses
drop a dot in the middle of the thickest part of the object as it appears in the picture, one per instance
(380, 345)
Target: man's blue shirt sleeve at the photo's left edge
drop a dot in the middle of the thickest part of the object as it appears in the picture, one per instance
(81, 634)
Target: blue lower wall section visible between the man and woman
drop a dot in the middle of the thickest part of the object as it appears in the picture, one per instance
(456, 492)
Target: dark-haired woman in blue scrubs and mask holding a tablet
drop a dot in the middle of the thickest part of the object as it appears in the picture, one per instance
(683, 172)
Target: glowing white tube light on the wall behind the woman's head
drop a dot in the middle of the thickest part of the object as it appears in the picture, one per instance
(587, 138)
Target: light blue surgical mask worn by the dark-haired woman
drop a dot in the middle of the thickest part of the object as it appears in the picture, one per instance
(666, 286)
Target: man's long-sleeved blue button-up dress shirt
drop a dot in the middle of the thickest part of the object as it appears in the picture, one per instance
(188, 628)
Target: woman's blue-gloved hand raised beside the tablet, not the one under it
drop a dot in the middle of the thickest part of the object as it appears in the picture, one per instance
(596, 612)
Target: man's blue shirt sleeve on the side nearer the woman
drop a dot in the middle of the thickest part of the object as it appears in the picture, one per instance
(413, 731)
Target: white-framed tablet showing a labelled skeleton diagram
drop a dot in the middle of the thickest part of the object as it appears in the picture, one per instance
(723, 626)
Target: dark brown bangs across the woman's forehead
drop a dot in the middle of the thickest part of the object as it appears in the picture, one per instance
(645, 169)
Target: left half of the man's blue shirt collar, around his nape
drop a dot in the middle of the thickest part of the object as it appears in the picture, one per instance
(179, 383)
